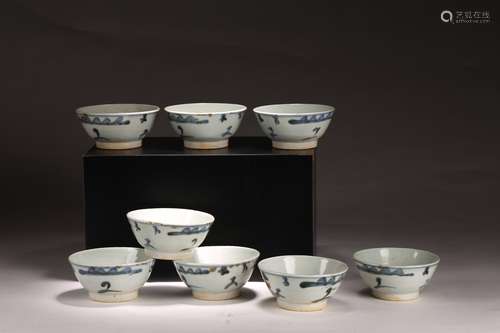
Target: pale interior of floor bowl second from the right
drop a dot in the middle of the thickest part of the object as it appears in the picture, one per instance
(302, 265)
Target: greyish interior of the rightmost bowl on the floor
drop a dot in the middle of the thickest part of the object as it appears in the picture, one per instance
(396, 257)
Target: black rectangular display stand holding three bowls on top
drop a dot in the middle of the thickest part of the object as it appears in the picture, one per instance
(261, 197)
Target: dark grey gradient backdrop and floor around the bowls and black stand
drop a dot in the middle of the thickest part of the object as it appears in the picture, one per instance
(412, 159)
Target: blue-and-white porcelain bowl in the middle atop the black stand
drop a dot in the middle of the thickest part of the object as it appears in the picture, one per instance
(205, 125)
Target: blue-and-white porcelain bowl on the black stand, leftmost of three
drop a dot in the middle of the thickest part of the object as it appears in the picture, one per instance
(117, 126)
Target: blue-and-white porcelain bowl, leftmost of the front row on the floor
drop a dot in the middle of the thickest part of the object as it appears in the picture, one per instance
(112, 274)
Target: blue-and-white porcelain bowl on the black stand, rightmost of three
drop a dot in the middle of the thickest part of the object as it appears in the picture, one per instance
(294, 126)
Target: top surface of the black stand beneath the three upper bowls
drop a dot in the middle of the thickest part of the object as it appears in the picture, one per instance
(172, 146)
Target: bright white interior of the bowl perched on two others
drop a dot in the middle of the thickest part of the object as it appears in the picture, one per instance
(171, 216)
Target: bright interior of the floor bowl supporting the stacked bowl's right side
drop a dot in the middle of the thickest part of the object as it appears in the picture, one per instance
(221, 255)
